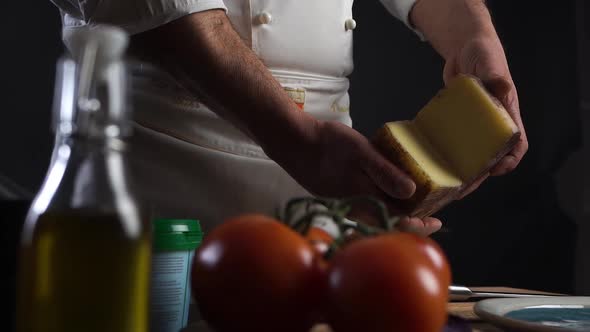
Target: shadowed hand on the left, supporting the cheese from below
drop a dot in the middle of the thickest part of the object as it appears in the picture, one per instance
(340, 162)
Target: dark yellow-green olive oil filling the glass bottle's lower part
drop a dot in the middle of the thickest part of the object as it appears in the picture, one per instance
(82, 270)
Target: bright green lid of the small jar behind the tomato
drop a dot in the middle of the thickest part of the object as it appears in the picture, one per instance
(177, 234)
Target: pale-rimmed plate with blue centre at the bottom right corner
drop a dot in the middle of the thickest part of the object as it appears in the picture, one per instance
(545, 314)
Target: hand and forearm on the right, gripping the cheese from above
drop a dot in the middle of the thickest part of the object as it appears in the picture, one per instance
(463, 33)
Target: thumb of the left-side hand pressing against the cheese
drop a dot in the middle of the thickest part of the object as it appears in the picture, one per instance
(388, 177)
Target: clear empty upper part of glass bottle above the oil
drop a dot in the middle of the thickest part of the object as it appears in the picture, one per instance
(88, 170)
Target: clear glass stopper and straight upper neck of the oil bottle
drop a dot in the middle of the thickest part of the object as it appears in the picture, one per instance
(91, 96)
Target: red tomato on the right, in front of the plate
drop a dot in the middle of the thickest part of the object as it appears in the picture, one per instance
(387, 283)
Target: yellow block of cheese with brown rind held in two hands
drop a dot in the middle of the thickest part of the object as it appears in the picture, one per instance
(457, 137)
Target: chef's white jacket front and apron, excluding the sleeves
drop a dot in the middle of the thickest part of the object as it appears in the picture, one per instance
(190, 163)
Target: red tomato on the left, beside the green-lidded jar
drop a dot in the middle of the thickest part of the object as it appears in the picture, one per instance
(253, 273)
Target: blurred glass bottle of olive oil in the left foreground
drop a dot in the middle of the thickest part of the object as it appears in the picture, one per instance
(85, 252)
